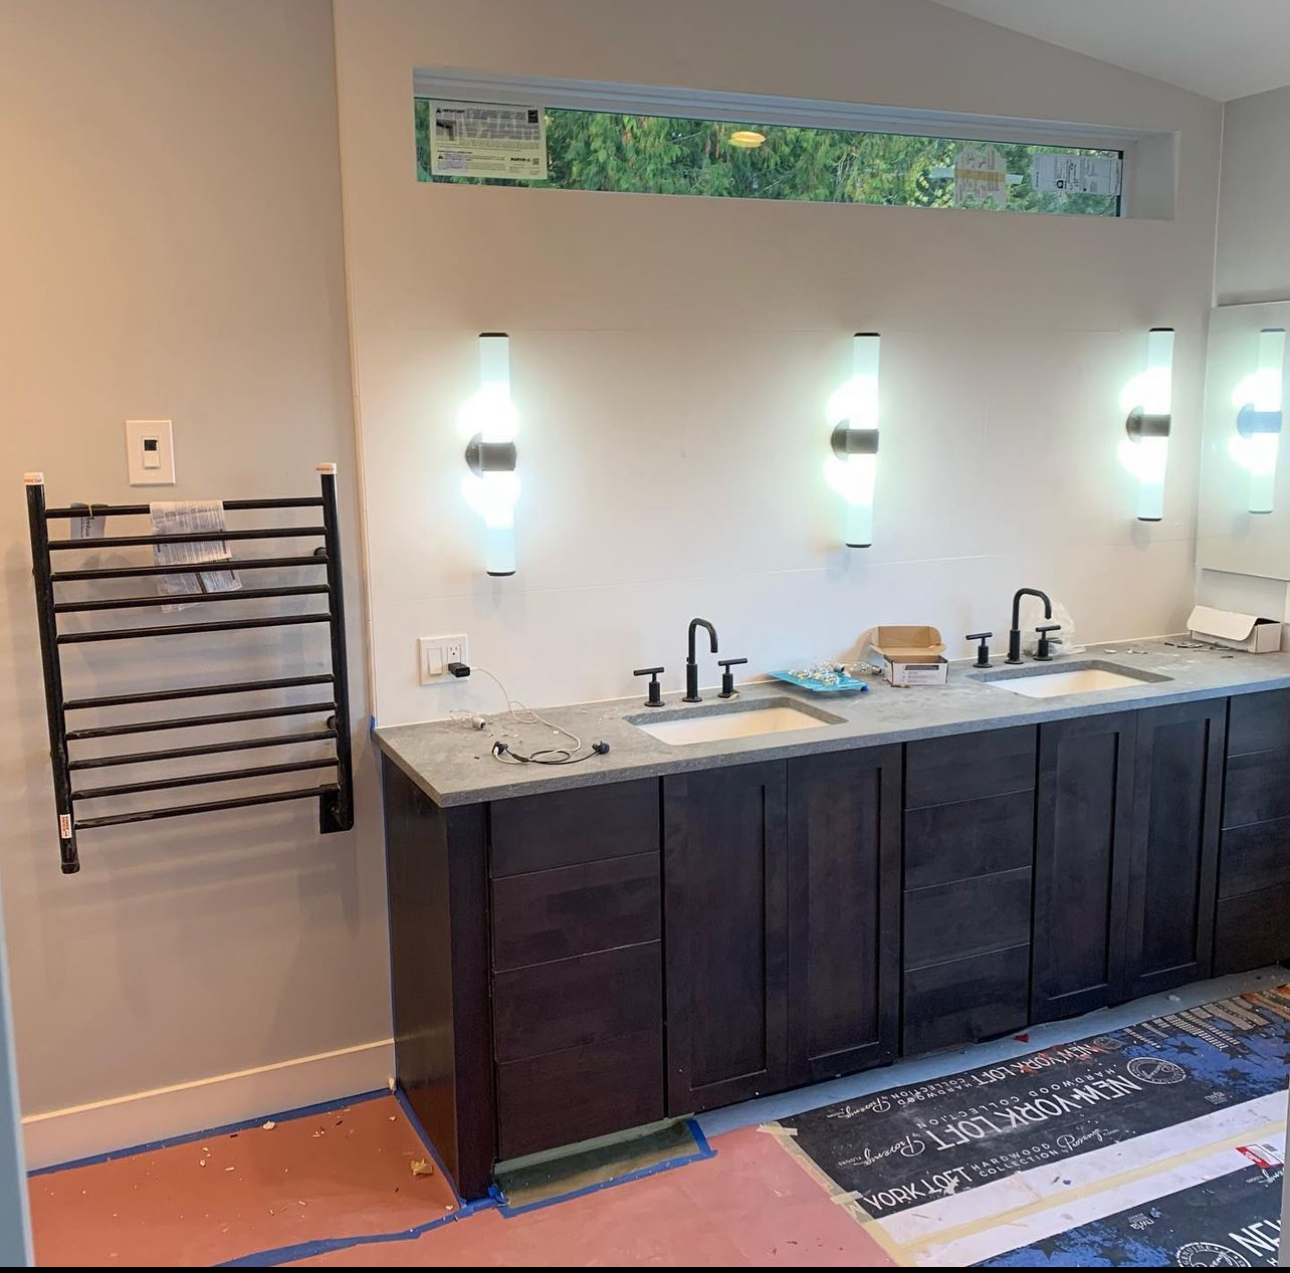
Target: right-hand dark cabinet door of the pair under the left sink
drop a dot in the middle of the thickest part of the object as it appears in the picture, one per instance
(844, 905)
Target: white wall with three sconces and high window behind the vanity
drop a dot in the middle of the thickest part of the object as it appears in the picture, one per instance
(671, 358)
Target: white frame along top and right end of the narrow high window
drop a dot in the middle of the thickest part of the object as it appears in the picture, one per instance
(457, 86)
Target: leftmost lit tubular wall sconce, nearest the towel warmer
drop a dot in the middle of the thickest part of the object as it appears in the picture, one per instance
(490, 420)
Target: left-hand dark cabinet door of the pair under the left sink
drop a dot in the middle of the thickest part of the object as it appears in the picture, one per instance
(726, 849)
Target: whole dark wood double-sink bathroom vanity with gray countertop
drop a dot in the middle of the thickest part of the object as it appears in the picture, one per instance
(671, 928)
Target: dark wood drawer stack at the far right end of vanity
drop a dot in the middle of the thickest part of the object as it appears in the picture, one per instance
(1253, 918)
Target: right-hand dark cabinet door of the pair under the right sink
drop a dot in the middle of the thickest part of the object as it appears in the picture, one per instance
(1178, 784)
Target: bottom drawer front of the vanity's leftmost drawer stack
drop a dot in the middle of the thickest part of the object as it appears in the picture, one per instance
(573, 1096)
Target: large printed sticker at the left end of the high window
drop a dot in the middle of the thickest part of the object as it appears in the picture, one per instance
(486, 140)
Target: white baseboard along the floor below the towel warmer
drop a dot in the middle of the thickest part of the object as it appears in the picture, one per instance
(84, 1132)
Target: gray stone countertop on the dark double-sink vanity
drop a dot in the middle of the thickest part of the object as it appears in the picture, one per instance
(452, 762)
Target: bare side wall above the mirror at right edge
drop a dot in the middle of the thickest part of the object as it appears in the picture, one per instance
(1253, 246)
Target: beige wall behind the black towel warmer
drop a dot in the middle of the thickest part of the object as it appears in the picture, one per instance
(171, 247)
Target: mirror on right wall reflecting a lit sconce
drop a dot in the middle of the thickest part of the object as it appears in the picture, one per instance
(1244, 522)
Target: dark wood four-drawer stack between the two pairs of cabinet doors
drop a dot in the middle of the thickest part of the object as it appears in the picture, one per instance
(969, 851)
